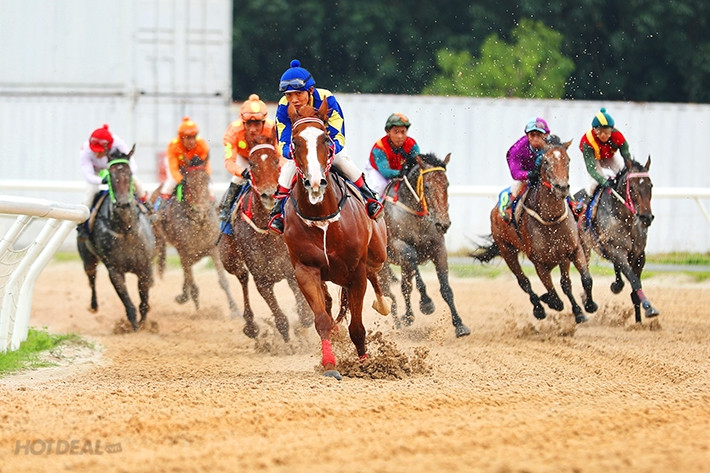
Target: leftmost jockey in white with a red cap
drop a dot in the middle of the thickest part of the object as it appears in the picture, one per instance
(93, 158)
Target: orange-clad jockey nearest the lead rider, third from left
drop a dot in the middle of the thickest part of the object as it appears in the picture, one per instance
(239, 134)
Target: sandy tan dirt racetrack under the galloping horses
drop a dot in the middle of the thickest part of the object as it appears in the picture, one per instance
(518, 395)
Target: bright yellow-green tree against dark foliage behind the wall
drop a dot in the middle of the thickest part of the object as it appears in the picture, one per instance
(530, 67)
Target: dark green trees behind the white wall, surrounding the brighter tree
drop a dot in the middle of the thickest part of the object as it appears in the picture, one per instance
(640, 51)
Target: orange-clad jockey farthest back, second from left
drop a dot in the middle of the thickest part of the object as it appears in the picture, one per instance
(183, 148)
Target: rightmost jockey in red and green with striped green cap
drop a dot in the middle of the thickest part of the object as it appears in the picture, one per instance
(598, 146)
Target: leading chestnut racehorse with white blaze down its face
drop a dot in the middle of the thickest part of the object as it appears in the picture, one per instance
(329, 235)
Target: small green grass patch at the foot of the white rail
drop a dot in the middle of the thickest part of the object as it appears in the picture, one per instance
(28, 355)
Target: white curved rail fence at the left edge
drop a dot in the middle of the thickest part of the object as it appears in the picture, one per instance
(19, 268)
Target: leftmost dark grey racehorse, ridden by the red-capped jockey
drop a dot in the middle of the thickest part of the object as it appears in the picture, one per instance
(121, 237)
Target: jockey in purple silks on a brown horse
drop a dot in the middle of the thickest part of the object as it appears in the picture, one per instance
(524, 159)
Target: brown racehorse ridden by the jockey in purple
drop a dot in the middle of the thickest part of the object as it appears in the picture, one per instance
(545, 230)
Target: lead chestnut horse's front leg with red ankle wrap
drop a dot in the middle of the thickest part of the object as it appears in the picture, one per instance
(313, 290)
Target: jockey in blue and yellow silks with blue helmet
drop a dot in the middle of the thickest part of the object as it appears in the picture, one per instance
(298, 87)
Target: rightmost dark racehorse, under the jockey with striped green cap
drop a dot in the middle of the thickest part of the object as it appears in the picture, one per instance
(617, 228)
